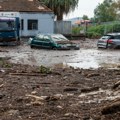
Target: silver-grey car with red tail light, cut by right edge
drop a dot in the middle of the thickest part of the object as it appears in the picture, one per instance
(111, 40)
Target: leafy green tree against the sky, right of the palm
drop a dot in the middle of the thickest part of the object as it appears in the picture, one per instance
(105, 11)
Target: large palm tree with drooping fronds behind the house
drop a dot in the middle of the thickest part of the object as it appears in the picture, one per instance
(61, 7)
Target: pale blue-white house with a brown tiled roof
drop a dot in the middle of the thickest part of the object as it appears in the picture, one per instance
(35, 18)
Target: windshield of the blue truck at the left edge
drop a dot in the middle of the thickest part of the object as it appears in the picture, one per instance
(7, 25)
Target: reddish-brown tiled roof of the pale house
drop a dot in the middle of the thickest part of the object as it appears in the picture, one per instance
(23, 6)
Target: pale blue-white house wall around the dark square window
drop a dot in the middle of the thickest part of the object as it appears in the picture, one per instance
(45, 23)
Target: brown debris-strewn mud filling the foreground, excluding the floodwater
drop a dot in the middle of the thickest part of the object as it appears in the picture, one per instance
(42, 93)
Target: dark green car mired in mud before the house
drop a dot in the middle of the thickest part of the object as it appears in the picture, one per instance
(52, 41)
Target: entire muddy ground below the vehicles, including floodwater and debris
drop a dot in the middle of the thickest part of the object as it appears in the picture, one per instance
(29, 91)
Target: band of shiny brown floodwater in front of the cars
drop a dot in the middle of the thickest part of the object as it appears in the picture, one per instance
(83, 58)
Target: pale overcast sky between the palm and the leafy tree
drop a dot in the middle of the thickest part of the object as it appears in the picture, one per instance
(85, 7)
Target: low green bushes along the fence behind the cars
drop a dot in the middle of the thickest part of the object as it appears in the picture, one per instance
(98, 30)
